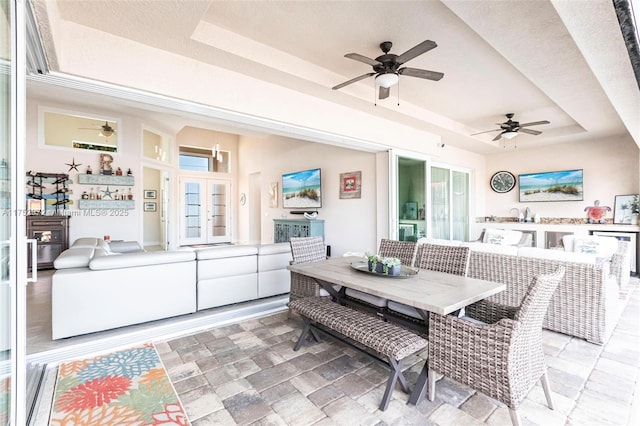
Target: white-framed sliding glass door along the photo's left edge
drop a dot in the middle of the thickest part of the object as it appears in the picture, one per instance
(12, 225)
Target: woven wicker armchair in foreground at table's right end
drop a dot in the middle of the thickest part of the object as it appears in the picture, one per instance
(503, 360)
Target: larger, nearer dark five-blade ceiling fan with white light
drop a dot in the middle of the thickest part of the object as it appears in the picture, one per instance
(386, 67)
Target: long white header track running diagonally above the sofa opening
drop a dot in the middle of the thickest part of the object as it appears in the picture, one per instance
(246, 120)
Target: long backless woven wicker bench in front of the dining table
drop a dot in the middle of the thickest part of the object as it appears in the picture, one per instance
(390, 340)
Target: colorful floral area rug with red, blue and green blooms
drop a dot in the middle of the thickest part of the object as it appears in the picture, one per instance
(128, 387)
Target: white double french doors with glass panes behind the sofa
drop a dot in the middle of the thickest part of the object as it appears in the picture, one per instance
(205, 211)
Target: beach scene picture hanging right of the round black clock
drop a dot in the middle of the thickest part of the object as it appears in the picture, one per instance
(551, 186)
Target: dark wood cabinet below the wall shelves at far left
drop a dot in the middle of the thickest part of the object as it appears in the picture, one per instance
(52, 236)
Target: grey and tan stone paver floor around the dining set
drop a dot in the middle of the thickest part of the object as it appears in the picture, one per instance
(248, 374)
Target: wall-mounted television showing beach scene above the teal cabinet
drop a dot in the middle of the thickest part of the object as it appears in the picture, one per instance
(302, 190)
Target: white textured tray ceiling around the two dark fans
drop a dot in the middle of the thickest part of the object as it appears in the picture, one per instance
(561, 61)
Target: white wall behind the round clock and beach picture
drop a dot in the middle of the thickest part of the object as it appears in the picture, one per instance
(610, 168)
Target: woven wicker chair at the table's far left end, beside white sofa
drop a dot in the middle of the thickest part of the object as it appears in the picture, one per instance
(305, 250)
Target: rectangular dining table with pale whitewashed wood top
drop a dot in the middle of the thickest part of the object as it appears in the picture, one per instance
(426, 290)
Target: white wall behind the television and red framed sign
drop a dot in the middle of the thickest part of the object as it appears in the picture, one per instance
(350, 224)
